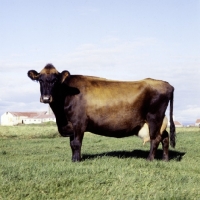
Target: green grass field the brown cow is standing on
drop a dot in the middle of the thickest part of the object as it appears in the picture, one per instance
(35, 163)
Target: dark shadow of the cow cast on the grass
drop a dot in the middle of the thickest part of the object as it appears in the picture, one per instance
(173, 155)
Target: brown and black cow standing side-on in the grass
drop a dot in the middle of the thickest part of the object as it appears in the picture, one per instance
(106, 107)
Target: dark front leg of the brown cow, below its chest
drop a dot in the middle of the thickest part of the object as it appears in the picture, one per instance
(76, 143)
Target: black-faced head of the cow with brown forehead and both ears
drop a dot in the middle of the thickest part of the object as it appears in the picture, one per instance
(49, 79)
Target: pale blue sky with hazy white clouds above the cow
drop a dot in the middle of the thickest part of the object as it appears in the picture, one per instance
(123, 40)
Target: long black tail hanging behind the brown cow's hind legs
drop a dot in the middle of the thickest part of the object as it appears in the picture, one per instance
(172, 126)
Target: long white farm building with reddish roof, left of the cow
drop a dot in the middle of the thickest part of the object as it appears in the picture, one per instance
(14, 118)
